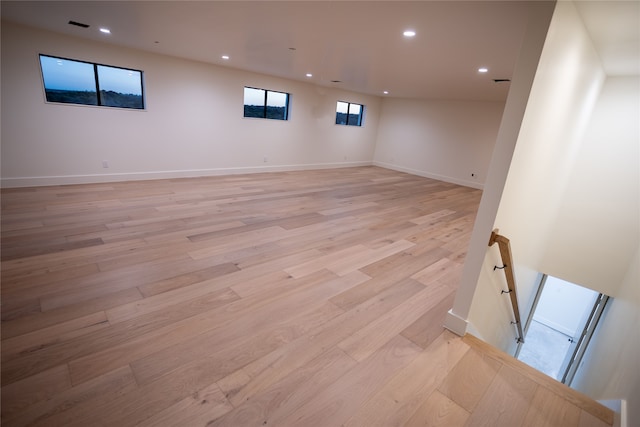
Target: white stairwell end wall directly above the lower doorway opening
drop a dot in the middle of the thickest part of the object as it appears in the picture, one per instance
(596, 228)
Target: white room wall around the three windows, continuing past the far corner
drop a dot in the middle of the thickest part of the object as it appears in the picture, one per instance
(193, 124)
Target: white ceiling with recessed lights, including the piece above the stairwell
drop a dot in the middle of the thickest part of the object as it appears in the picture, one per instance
(358, 43)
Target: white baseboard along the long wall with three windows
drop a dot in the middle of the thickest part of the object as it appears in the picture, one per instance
(42, 181)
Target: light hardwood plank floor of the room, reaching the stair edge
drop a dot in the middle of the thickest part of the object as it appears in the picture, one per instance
(310, 298)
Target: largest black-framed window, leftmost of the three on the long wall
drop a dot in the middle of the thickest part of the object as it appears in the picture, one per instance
(77, 82)
